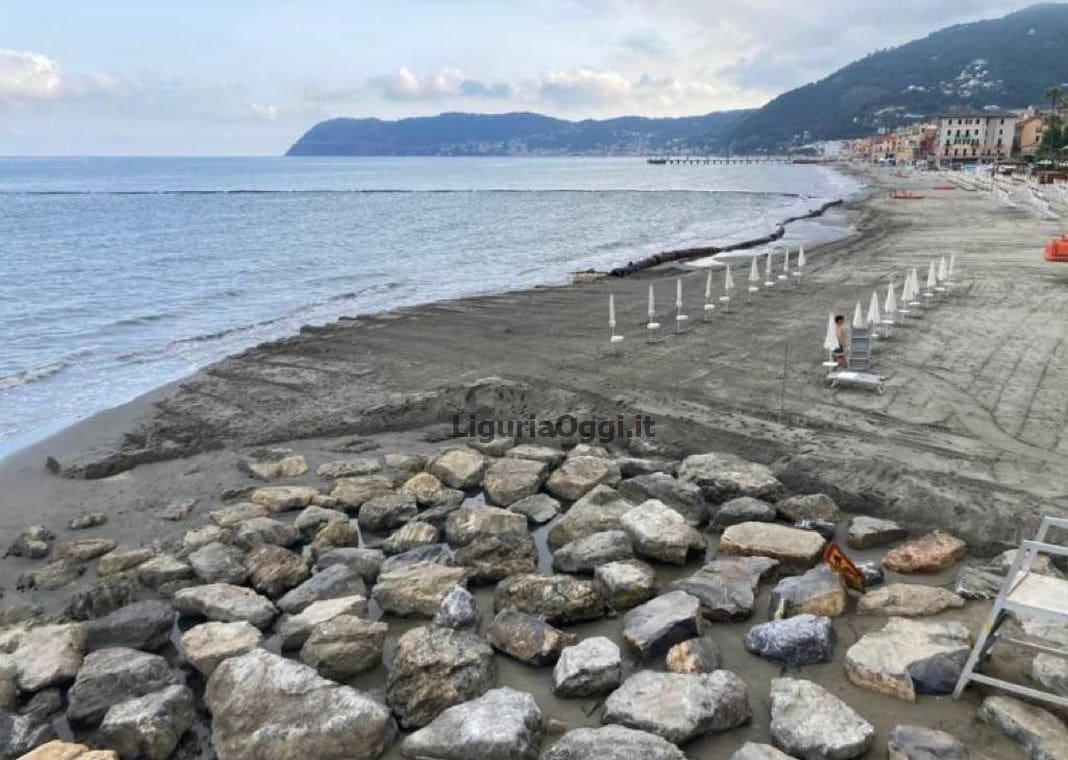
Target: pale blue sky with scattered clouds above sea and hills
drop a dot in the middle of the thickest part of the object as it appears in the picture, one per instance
(164, 77)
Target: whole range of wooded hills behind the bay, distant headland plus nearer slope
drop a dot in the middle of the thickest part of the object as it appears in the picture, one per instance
(1008, 62)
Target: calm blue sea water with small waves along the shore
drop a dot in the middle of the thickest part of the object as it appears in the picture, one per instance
(120, 275)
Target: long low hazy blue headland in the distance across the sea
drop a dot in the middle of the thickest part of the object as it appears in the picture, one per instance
(512, 134)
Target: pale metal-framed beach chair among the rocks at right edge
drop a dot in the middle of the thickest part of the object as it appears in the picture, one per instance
(1028, 594)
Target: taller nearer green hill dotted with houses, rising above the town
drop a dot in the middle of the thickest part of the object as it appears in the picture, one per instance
(1008, 62)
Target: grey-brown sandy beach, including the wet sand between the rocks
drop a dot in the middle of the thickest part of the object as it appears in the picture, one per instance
(971, 435)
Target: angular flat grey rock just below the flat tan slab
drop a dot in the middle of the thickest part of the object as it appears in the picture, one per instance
(727, 587)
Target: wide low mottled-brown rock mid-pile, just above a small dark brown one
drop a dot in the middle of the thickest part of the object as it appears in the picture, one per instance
(558, 599)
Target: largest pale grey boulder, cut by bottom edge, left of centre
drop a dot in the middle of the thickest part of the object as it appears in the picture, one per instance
(264, 706)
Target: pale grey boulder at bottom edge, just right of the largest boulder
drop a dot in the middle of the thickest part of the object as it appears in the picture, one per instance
(502, 724)
